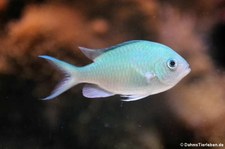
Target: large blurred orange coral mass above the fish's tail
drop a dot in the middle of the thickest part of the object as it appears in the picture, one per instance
(43, 28)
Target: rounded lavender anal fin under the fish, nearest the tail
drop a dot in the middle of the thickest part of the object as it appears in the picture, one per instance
(94, 91)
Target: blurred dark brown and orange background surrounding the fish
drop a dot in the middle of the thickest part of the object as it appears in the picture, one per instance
(191, 112)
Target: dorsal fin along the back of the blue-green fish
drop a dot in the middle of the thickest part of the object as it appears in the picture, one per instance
(94, 53)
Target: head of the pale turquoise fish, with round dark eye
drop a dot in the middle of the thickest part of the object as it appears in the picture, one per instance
(171, 68)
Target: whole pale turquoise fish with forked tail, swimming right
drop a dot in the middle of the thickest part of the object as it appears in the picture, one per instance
(134, 70)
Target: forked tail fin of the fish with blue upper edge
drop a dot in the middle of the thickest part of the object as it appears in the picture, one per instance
(69, 79)
